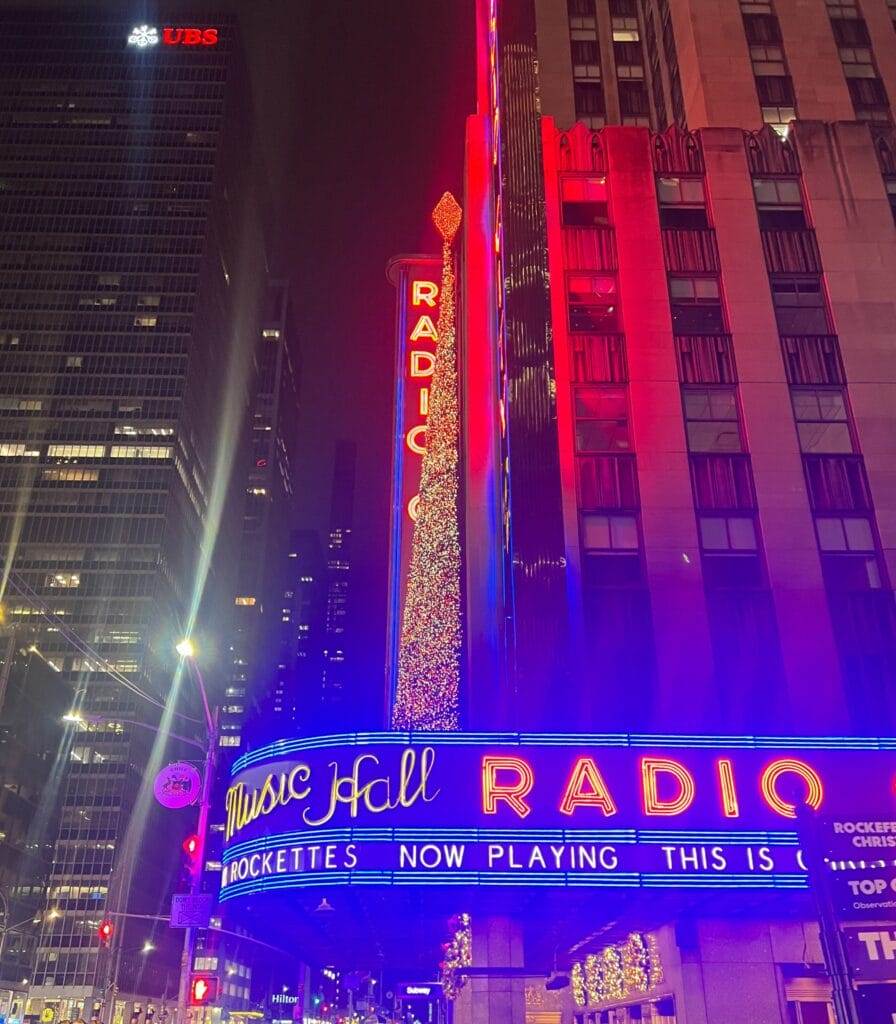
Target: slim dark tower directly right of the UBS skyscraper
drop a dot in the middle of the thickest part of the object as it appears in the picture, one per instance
(270, 513)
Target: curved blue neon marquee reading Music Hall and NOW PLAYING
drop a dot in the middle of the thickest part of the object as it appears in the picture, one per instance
(510, 809)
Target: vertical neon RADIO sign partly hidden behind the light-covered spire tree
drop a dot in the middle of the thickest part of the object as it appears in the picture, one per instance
(417, 288)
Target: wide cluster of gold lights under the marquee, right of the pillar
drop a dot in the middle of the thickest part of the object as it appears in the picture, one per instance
(632, 968)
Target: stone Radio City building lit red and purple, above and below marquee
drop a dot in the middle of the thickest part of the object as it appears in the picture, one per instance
(679, 380)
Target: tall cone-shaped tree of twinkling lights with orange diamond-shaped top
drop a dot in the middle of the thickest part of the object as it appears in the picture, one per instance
(428, 695)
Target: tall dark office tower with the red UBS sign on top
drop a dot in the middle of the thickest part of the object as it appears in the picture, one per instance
(131, 282)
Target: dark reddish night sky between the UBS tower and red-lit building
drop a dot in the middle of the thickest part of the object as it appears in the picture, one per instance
(380, 94)
